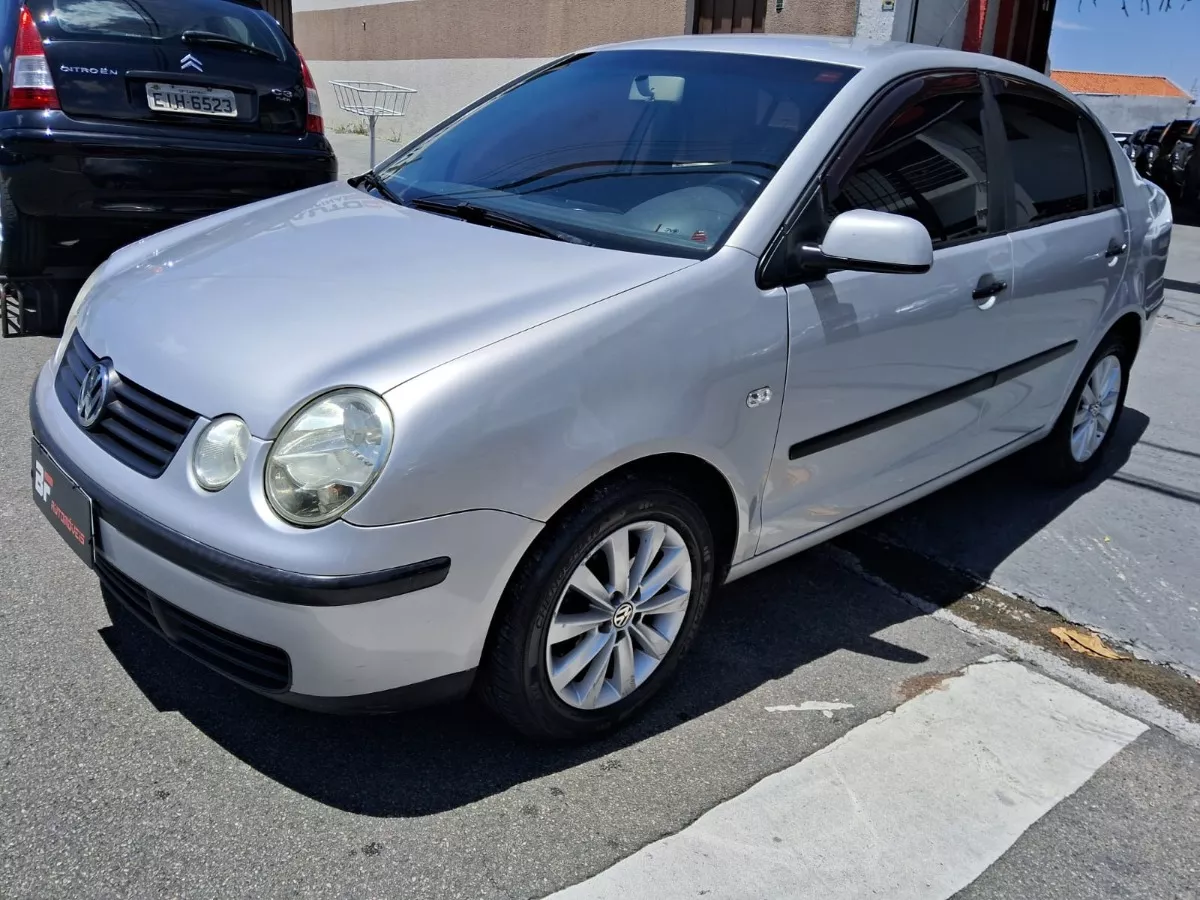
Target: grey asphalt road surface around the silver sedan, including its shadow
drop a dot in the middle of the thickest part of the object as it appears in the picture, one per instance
(129, 771)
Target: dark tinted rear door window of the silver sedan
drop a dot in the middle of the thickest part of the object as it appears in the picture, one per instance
(1047, 159)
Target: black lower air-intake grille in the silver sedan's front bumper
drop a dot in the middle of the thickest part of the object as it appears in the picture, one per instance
(251, 663)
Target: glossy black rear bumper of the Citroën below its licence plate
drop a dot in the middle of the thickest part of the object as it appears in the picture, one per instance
(152, 175)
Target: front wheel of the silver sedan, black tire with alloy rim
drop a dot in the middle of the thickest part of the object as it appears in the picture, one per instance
(515, 680)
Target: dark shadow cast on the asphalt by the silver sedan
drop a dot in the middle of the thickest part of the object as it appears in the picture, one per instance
(759, 629)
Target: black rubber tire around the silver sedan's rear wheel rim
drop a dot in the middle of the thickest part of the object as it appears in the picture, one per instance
(1059, 461)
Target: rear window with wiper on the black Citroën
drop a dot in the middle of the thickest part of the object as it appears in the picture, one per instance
(161, 21)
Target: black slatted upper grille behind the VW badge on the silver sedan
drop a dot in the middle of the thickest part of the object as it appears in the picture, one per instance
(139, 428)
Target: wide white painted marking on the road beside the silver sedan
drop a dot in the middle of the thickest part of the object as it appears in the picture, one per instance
(913, 806)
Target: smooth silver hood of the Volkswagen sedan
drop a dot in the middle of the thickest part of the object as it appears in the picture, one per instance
(256, 310)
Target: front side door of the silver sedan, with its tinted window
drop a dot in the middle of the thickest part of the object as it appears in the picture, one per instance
(884, 370)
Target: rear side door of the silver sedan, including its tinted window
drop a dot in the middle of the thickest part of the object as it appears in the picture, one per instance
(1070, 237)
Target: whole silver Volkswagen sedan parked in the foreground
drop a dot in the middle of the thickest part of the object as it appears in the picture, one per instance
(640, 323)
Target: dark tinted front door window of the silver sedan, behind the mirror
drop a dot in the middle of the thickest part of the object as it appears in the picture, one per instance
(929, 165)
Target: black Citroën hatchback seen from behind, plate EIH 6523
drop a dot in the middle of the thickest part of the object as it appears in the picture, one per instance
(122, 118)
